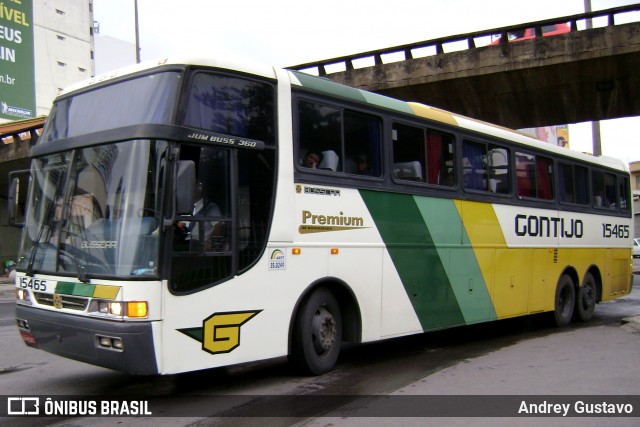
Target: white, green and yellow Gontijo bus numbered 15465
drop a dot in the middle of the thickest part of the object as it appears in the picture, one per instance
(186, 215)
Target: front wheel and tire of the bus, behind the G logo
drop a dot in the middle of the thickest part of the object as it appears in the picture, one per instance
(317, 333)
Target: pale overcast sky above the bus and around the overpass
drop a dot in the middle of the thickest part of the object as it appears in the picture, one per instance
(291, 32)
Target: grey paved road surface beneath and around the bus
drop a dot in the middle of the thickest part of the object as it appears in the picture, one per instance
(508, 358)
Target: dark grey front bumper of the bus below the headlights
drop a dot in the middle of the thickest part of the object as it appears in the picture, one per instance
(123, 346)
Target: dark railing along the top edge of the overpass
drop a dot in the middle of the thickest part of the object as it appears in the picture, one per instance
(346, 63)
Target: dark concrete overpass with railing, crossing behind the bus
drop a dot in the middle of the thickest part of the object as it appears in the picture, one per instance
(581, 75)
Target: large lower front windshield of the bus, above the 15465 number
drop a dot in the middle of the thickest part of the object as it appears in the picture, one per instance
(95, 211)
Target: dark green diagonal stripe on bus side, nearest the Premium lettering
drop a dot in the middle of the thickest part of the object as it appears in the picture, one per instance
(416, 259)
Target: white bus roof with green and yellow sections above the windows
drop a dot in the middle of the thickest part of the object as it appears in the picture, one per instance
(326, 86)
